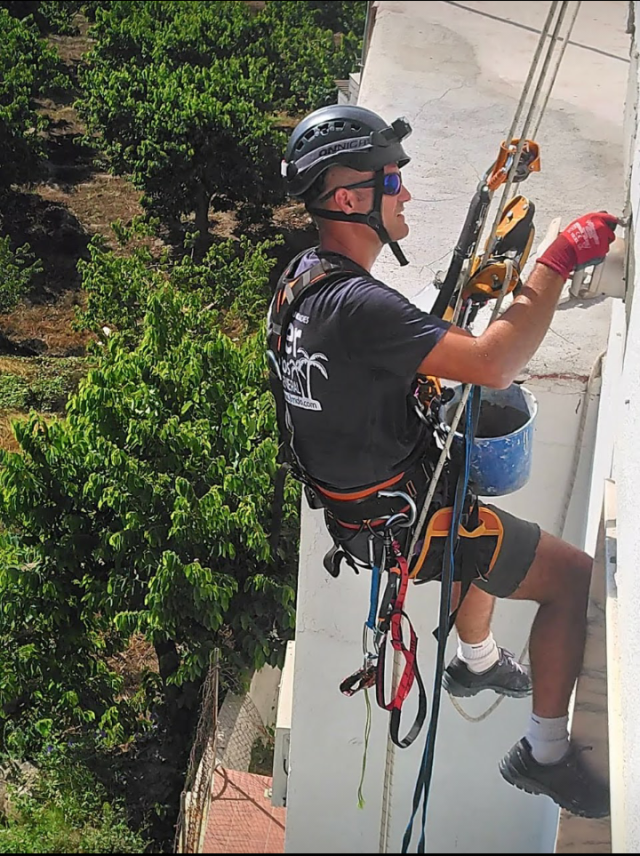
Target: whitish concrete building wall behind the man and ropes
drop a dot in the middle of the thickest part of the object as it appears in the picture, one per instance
(456, 71)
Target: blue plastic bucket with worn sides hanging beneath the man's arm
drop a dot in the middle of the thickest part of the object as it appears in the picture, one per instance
(502, 451)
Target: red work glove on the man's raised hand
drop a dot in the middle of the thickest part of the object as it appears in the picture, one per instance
(584, 242)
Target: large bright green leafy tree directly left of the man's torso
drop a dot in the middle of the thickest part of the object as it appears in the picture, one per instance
(146, 510)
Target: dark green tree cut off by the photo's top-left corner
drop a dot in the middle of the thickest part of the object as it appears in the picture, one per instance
(28, 69)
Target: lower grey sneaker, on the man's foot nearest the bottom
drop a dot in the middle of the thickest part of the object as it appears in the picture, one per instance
(569, 783)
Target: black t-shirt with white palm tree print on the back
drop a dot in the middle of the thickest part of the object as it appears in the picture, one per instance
(352, 353)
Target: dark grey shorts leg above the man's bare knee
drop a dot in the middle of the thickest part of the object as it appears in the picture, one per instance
(517, 552)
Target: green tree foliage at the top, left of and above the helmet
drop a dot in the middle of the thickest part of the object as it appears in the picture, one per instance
(183, 96)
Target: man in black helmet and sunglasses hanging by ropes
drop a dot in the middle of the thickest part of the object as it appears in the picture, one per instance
(353, 351)
